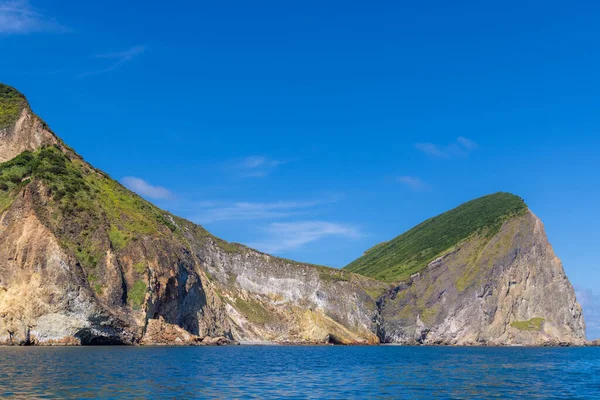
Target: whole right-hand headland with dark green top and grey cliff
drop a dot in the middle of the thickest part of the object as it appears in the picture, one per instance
(482, 273)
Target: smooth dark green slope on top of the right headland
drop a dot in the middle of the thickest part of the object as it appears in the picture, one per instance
(410, 252)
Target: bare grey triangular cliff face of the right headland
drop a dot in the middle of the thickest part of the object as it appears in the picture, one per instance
(507, 289)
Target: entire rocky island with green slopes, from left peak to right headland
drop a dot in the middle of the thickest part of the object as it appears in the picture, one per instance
(85, 261)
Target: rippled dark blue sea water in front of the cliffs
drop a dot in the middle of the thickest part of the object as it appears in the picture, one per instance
(264, 372)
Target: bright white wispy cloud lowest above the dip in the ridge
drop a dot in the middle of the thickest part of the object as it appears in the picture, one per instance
(282, 236)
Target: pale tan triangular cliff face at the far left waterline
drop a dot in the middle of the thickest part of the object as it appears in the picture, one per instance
(43, 294)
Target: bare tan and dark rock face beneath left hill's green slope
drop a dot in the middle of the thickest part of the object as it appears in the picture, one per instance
(47, 296)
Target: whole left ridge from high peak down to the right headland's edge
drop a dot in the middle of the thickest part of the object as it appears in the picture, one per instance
(84, 260)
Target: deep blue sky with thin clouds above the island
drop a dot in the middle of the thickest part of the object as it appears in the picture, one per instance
(315, 129)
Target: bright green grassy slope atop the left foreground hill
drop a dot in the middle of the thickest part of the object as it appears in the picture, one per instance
(85, 208)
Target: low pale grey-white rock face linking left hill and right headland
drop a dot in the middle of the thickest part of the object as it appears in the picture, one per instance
(269, 298)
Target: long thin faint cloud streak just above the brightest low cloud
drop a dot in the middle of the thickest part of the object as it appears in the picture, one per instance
(243, 211)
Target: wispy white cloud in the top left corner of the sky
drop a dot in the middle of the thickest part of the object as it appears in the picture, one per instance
(19, 17)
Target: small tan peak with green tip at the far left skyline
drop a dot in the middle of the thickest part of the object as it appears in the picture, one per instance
(20, 128)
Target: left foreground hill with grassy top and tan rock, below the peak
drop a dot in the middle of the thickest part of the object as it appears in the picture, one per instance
(99, 257)
